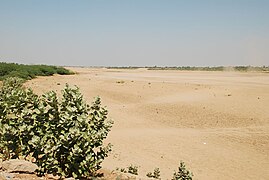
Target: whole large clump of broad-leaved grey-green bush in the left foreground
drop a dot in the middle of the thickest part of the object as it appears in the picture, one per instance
(62, 136)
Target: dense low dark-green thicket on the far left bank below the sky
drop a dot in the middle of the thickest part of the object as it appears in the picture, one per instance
(27, 72)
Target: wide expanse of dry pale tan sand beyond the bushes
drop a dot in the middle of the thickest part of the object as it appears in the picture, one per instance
(216, 122)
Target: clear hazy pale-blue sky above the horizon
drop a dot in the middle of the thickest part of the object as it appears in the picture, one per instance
(135, 32)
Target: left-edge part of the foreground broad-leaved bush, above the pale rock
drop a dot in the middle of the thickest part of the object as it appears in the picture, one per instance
(17, 112)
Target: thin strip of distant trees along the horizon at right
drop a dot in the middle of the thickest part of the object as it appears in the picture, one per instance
(216, 68)
